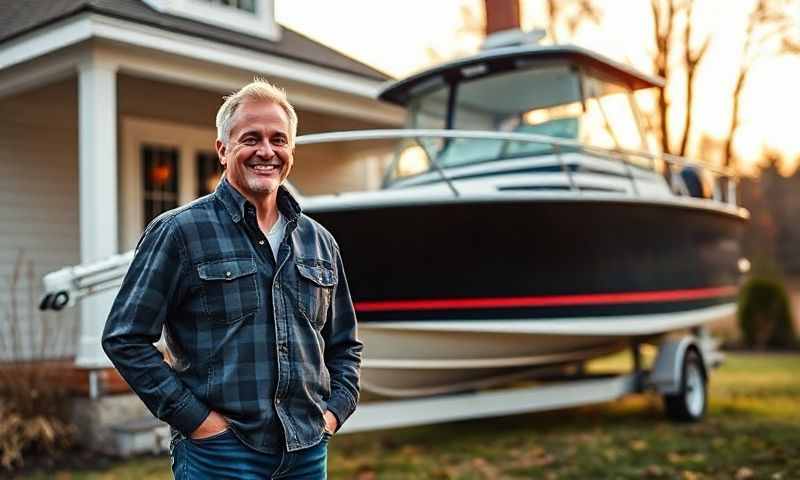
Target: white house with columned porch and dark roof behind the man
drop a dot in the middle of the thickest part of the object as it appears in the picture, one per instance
(107, 118)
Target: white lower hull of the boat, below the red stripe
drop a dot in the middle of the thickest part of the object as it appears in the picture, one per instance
(406, 359)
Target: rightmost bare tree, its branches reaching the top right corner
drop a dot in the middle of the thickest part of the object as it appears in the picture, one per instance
(768, 32)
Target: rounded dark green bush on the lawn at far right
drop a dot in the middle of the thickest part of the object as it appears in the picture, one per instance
(765, 314)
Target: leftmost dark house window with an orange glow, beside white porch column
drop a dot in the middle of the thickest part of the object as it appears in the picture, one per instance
(160, 179)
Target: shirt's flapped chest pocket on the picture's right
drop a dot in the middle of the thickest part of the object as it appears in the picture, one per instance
(315, 282)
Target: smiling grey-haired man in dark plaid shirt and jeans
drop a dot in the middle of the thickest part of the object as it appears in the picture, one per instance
(253, 301)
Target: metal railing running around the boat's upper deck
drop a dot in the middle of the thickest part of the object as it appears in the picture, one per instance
(724, 185)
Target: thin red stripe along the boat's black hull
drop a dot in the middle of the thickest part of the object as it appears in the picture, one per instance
(548, 300)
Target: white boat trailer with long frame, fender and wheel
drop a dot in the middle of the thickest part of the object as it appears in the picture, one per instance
(679, 373)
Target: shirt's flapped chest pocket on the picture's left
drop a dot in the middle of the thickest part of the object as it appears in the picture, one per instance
(229, 287)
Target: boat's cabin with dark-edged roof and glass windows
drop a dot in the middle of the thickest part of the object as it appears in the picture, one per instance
(565, 92)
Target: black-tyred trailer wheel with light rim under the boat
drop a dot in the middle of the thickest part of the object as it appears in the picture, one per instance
(689, 405)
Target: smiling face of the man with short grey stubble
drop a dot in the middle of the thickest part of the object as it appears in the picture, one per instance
(258, 156)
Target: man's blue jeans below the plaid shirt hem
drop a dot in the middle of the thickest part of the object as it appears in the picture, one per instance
(225, 456)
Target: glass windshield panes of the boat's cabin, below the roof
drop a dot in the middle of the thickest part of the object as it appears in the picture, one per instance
(558, 101)
